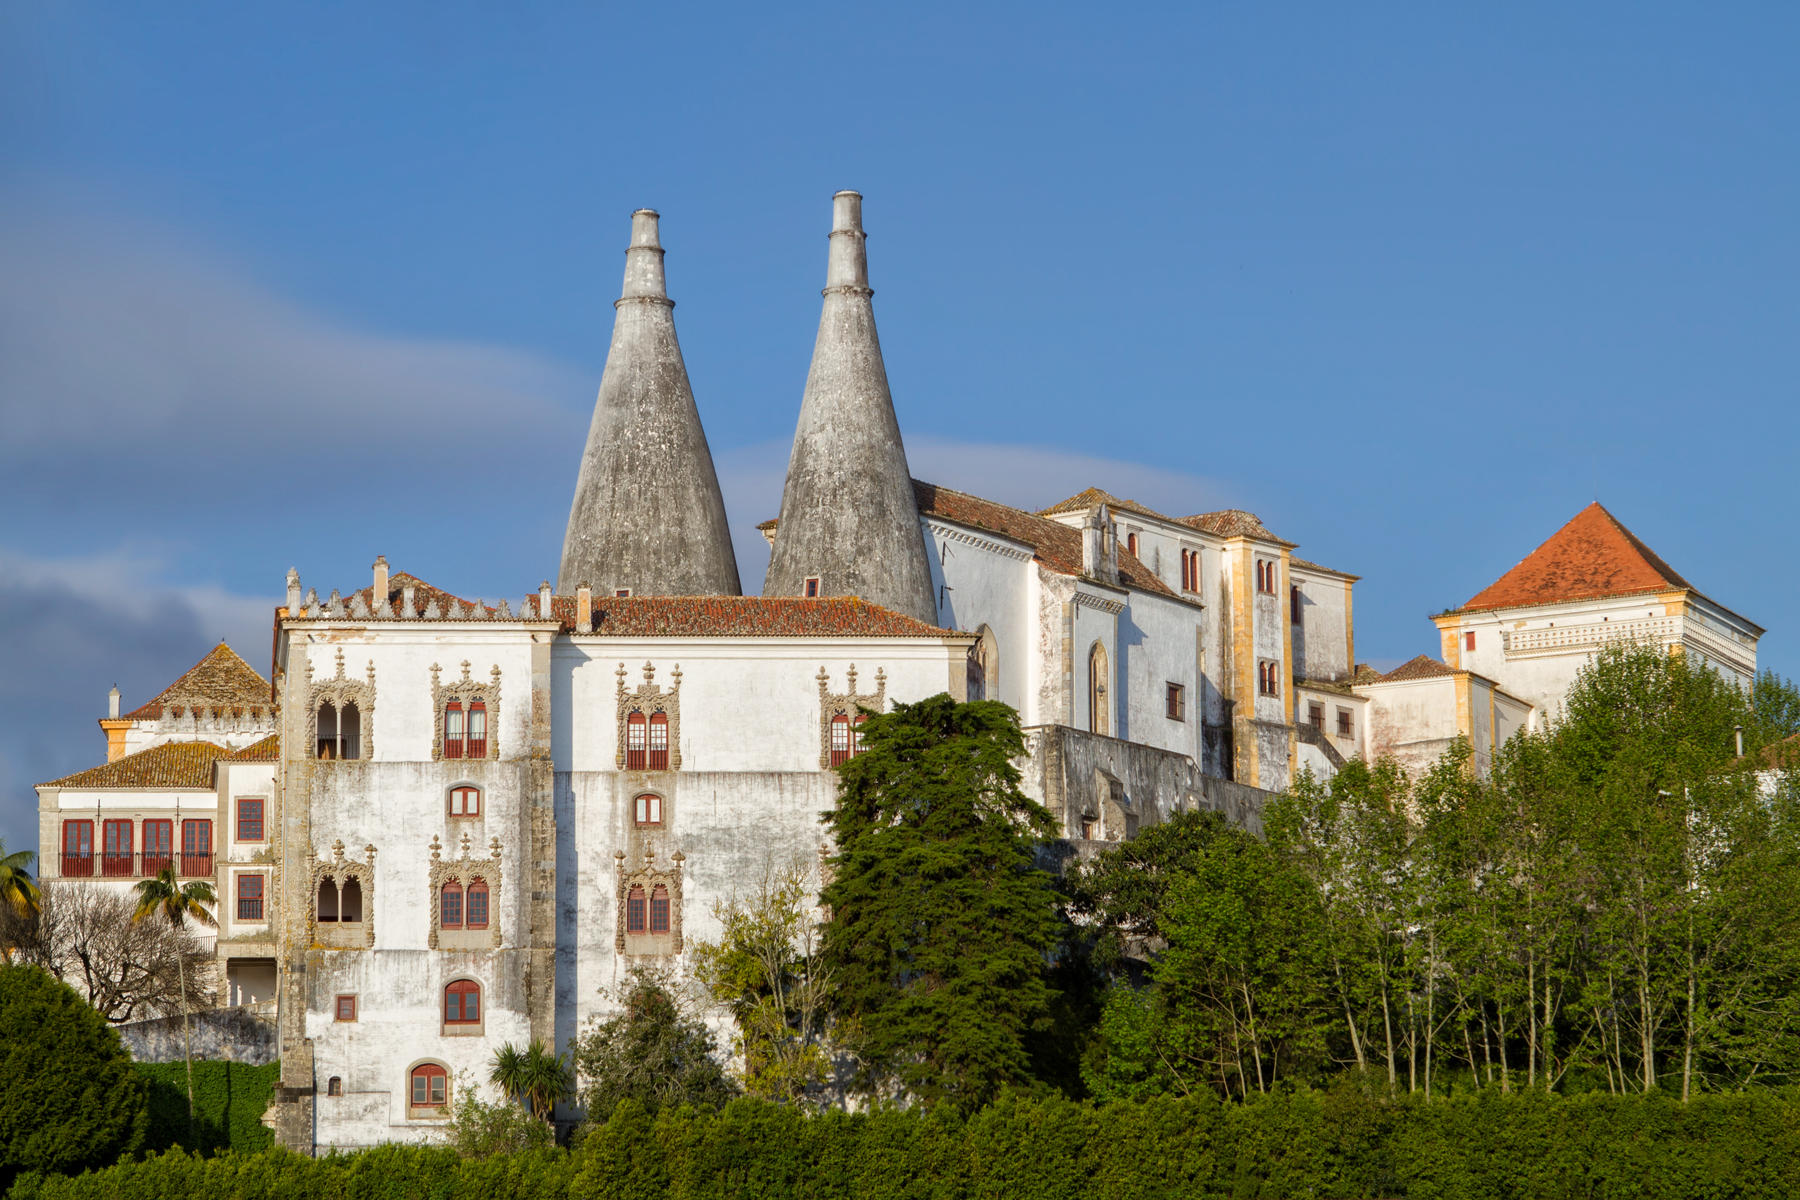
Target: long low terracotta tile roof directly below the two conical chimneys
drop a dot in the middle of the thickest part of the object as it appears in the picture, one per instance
(742, 616)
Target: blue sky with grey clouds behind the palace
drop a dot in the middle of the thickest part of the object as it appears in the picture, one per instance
(298, 287)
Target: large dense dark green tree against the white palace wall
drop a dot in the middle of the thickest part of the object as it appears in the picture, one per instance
(940, 918)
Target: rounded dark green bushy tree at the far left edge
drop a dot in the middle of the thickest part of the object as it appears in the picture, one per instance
(69, 1097)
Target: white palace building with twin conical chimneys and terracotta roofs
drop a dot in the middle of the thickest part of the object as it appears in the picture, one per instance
(442, 825)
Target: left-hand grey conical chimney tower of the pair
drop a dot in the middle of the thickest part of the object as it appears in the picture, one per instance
(647, 510)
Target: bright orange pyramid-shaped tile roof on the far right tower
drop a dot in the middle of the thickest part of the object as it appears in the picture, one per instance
(1588, 559)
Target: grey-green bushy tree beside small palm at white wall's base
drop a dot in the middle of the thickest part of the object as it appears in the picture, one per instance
(654, 1052)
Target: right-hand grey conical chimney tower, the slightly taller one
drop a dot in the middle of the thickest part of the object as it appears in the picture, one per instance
(849, 514)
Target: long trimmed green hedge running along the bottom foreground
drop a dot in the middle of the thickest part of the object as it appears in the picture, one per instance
(1329, 1145)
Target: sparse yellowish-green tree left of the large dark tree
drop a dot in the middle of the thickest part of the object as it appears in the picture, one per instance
(766, 969)
